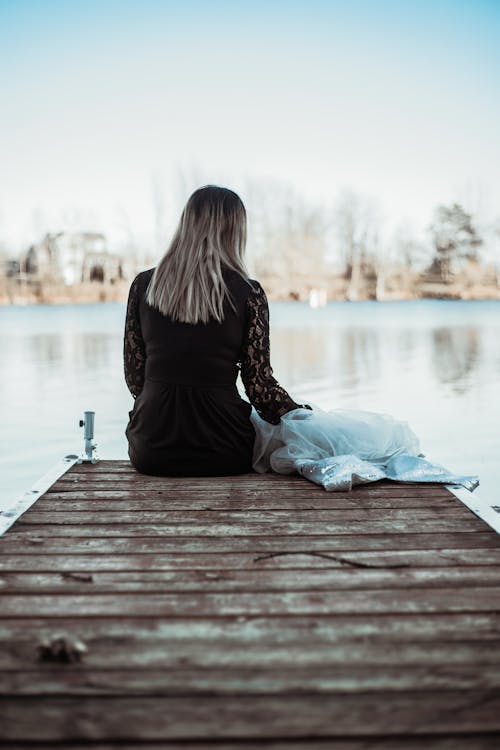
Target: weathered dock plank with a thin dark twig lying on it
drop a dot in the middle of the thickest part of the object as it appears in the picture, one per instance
(358, 559)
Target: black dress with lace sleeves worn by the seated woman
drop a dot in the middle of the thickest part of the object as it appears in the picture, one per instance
(188, 418)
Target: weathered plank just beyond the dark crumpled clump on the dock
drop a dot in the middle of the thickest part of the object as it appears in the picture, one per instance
(392, 629)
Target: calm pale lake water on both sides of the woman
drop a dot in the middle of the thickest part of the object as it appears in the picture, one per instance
(433, 363)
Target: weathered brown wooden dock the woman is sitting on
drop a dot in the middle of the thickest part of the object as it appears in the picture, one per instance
(248, 612)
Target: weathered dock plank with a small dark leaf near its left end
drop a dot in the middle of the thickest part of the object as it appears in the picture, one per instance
(224, 579)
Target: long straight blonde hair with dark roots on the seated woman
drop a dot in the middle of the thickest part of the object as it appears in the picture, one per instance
(188, 284)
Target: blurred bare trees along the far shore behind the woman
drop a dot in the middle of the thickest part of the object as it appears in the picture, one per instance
(297, 247)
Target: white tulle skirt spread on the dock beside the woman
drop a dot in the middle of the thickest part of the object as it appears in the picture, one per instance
(344, 447)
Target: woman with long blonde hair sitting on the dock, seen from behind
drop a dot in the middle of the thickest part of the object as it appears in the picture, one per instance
(192, 324)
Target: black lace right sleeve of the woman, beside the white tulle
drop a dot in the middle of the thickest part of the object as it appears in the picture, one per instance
(265, 393)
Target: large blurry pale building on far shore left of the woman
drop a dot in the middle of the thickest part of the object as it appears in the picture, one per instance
(73, 258)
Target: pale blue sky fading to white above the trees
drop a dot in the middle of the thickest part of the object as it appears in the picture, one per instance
(108, 106)
